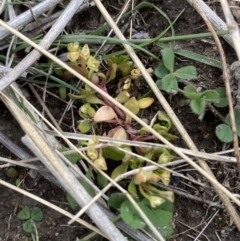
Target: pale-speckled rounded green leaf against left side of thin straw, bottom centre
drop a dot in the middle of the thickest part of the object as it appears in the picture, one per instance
(130, 216)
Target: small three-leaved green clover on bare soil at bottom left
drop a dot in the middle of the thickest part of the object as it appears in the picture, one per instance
(30, 216)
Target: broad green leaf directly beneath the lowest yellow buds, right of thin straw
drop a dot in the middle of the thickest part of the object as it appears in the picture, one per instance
(161, 217)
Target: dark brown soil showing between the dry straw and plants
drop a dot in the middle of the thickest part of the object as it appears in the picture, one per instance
(190, 217)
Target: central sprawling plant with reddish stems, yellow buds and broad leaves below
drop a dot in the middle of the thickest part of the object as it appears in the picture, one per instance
(96, 109)
